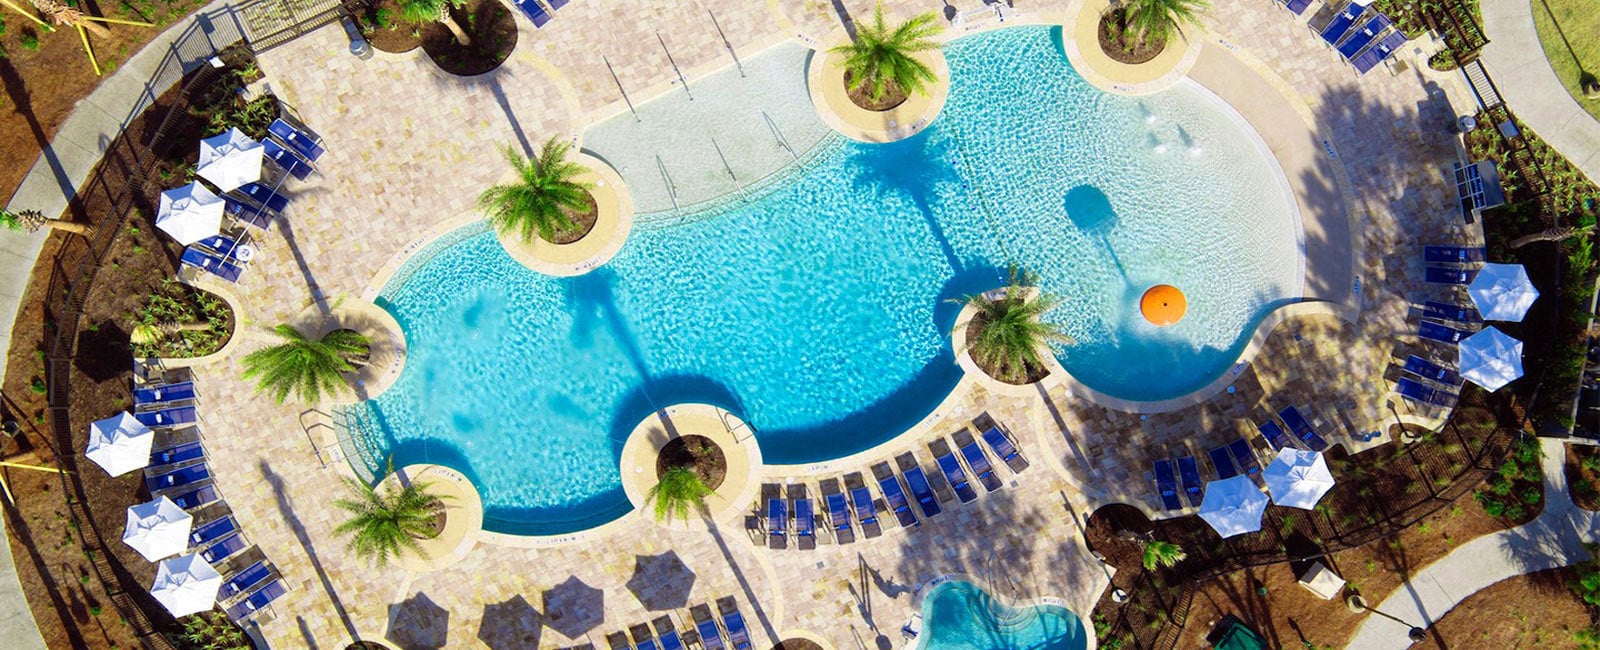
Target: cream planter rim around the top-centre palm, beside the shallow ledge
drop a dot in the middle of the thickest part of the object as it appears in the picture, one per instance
(831, 98)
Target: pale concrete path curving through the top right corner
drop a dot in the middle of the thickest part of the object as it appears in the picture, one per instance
(1529, 84)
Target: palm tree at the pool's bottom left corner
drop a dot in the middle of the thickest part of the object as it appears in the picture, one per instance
(386, 523)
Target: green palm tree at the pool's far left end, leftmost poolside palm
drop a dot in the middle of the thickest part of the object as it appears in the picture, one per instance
(306, 367)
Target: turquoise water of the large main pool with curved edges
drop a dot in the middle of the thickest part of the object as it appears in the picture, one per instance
(818, 310)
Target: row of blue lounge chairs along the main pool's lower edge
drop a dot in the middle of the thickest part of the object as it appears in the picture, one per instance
(854, 504)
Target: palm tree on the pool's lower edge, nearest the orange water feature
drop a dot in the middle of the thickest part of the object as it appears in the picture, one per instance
(1010, 332)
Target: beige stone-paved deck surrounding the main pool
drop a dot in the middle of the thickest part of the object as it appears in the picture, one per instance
(409, 148)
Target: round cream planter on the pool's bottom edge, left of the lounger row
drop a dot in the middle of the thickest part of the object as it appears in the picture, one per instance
(713, 444)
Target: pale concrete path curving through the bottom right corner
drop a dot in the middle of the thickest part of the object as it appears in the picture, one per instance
(1551, 542)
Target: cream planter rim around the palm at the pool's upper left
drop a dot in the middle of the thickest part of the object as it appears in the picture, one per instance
(614, 222)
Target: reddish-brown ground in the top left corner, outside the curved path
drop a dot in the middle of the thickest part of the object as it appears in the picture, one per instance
(42, 84)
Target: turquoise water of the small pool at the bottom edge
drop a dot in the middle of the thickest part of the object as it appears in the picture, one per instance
(959, 616)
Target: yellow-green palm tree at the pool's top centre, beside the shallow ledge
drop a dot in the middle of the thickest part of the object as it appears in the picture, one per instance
(881, 58)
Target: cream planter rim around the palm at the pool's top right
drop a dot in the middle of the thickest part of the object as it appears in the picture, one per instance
(1090, 60)
